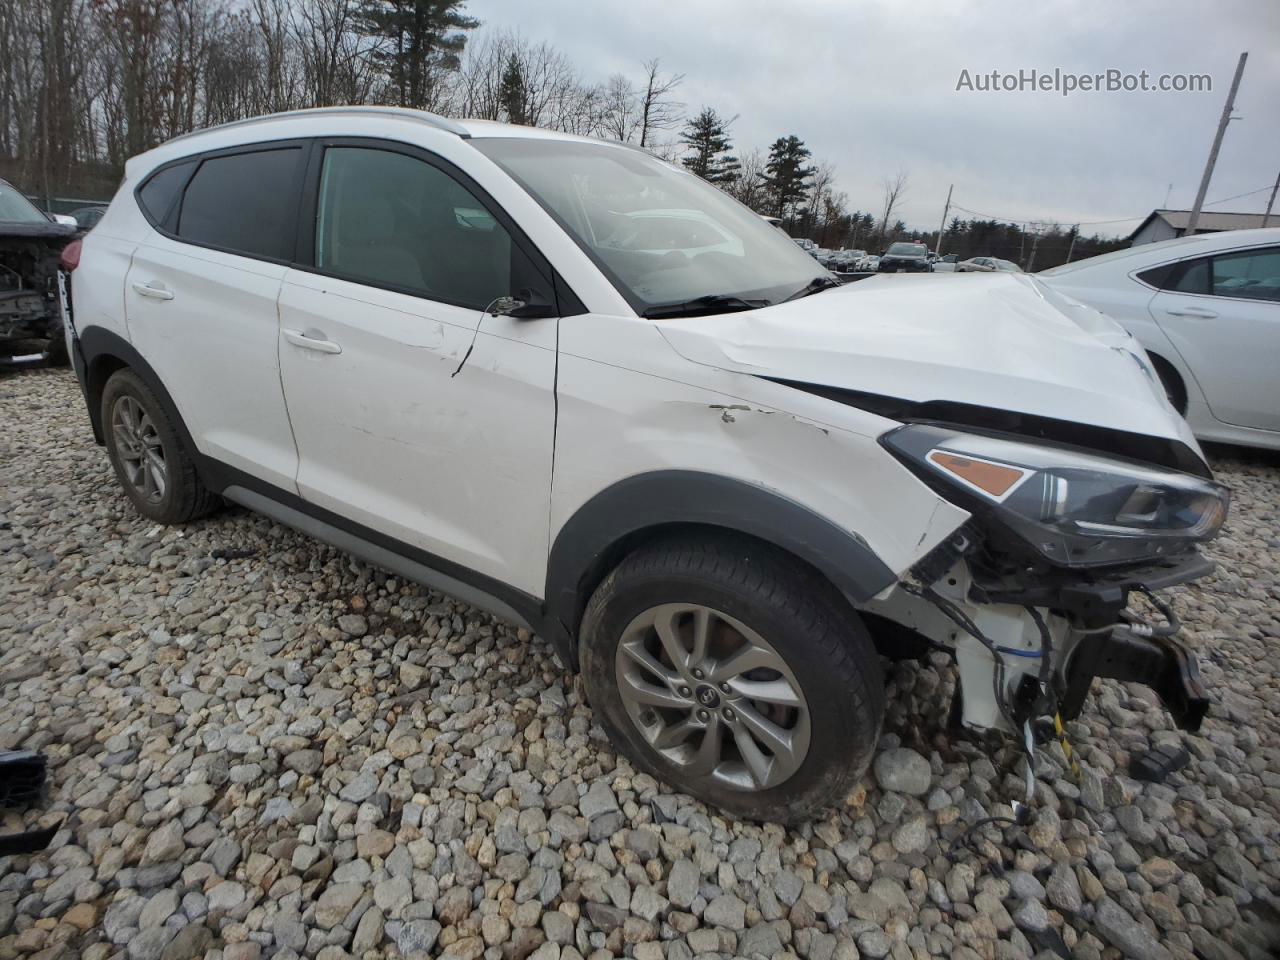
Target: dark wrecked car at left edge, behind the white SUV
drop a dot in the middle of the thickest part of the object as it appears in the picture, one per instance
(31, 243)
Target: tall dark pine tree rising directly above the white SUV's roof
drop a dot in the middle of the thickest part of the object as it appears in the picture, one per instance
(419, 38)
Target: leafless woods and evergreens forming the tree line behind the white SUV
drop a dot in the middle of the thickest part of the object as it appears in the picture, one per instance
(88, 84)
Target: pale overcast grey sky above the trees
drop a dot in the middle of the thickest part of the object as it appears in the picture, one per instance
(872, 88)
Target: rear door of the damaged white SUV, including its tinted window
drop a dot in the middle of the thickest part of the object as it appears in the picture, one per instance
(202, 300)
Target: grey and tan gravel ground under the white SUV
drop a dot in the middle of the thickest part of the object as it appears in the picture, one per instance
(260, 747)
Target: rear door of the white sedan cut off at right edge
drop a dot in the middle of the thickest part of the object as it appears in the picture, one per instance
(1223, 316)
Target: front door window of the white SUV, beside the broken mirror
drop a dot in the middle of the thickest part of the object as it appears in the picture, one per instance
(394, 221)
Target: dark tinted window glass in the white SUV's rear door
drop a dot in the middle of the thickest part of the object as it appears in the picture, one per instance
(245, 203)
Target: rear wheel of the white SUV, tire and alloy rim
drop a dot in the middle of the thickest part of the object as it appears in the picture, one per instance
(143, 445)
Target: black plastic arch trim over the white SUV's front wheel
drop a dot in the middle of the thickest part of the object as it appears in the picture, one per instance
(587, 547)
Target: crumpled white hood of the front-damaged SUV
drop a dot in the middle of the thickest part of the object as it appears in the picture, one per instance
(1000, 341)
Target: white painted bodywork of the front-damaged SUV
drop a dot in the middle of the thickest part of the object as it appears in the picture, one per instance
(478, 437)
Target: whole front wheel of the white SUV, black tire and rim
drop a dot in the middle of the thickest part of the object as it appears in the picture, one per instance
(757, 596)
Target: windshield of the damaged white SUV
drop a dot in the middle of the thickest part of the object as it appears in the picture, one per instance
(662, 236)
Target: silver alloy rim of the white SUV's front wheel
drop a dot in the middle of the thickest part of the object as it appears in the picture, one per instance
(712, 697)
